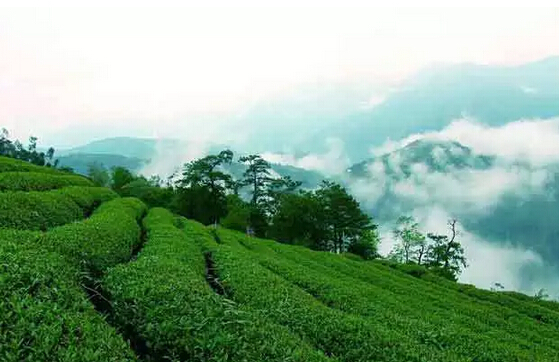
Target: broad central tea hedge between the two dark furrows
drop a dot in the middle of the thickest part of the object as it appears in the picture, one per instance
(163, 296)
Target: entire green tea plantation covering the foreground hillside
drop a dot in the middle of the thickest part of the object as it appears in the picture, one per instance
(88, 276)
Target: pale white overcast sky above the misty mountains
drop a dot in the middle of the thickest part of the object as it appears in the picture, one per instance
(158, 71)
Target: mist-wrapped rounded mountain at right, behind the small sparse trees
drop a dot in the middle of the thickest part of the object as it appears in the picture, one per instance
(508, 202)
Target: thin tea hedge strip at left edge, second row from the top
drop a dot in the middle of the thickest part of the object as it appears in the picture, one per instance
(38, 181)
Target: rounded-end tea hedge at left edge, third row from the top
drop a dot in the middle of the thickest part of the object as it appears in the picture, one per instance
(43, 210)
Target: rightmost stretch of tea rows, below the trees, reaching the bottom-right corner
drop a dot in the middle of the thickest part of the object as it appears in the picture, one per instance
(463, 327)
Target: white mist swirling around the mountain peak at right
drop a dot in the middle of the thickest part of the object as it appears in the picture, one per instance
(523, 151)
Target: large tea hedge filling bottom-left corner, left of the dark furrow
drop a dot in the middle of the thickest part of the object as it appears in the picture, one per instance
(44, 314)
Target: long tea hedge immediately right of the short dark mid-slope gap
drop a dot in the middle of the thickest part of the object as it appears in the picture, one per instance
(345, 336)
